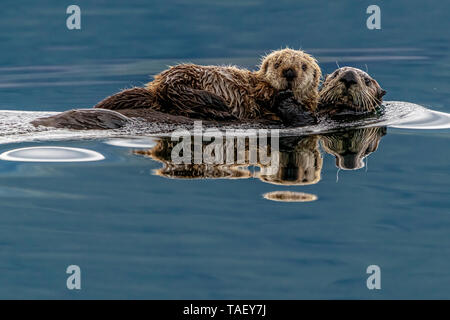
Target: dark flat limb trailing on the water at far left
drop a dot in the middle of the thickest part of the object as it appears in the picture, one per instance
(83, 119)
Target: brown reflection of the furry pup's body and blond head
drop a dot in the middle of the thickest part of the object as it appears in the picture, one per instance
(293, 161)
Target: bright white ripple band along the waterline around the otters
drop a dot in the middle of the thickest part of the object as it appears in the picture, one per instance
(15, 125)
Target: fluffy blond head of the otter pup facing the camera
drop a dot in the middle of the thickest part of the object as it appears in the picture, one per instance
(294, 70)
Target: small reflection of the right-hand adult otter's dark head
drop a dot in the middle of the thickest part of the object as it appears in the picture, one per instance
(351, 147)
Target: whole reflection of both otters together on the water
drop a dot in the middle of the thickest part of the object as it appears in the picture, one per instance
(296, 160)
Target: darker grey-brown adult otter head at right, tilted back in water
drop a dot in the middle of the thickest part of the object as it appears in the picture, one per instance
(351, 88)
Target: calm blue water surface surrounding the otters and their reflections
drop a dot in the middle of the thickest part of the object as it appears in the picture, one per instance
(138, 235)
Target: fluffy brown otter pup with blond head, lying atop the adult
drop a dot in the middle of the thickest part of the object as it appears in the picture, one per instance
(226, 92)
